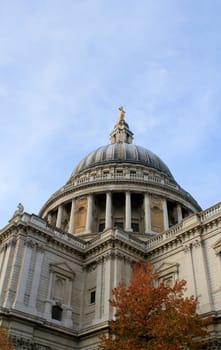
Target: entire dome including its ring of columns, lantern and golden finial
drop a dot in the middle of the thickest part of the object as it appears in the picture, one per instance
(119, 185)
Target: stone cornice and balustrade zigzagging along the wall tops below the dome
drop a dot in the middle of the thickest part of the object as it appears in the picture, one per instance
(194, 227)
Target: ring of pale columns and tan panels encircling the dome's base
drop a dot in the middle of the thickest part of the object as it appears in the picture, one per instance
(141, 213)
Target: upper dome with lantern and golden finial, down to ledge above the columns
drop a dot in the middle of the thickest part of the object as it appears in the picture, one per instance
(90, 175)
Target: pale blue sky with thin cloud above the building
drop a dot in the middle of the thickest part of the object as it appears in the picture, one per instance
(65, 68)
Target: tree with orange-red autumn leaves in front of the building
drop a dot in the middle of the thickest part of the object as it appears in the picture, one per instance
(152, 315)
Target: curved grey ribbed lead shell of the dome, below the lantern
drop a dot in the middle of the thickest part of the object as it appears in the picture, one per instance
(122, 153)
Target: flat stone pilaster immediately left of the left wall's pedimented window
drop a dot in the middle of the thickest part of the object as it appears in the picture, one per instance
(36, 278)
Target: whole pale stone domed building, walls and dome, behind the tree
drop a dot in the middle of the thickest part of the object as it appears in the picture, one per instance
(57, 269)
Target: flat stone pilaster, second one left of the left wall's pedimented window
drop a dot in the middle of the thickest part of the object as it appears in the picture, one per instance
(23, 276)
